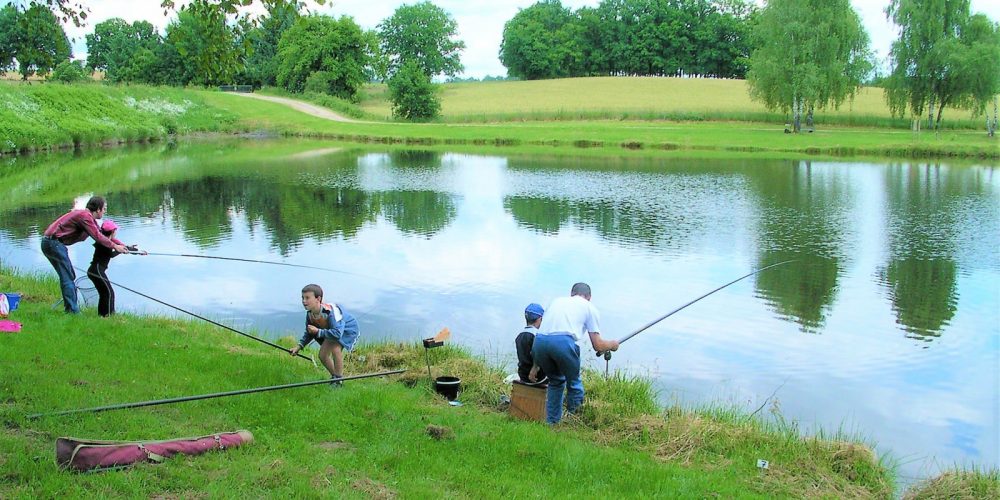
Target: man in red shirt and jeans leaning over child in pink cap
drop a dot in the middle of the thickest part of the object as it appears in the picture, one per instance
(74, 227)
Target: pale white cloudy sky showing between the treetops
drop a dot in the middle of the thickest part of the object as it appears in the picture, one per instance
(480, 22)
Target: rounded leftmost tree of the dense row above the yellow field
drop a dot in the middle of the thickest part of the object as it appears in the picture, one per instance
(544, 40)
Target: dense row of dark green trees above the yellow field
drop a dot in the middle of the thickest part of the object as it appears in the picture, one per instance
(708, 38)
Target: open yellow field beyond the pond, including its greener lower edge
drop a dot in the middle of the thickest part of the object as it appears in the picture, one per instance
(639, 98)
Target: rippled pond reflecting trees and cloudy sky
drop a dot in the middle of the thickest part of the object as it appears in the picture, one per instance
(885, 325)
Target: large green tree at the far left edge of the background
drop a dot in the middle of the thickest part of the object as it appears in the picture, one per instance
(32, 38)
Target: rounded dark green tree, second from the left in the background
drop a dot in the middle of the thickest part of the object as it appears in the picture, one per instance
(122, 50)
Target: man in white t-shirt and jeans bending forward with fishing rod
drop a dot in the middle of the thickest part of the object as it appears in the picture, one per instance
(567, 321)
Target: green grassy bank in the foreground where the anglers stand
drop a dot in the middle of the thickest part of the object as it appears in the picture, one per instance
(372, 438)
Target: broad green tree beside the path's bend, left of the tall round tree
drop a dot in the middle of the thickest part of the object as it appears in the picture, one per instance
(314, 44)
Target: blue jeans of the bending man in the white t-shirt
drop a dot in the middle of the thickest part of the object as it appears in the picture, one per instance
(559, 357)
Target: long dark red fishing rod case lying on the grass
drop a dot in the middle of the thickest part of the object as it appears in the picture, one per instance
(85, 455)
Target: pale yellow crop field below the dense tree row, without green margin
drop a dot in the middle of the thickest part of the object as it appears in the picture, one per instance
(639, 95)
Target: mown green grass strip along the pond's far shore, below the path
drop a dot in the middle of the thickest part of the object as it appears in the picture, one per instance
(618, 137)
